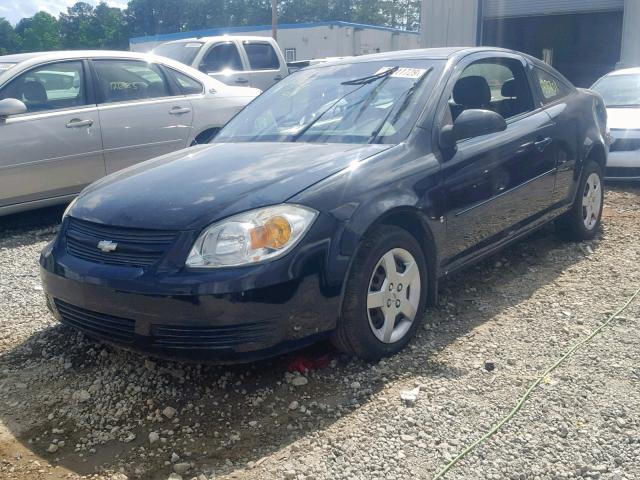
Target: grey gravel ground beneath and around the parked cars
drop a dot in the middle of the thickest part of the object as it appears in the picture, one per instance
(74, 408)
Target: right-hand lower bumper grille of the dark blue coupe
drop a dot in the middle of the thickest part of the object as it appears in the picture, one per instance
(210, 337)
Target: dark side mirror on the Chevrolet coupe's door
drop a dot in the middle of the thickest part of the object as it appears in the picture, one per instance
(470, 124)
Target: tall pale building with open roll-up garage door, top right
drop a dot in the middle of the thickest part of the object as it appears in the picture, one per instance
(584, 39)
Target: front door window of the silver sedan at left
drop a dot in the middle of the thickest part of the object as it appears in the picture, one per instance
(53, 86)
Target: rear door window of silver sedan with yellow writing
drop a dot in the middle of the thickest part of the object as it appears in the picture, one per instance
(130, 80)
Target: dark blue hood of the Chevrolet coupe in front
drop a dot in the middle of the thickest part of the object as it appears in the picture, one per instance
(191, 188)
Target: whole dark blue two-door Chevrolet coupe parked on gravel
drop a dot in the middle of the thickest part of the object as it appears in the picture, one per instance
(331, 206)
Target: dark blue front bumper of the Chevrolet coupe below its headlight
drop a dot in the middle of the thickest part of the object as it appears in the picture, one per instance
(195, 315)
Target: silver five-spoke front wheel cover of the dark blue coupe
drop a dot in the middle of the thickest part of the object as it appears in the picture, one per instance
(394, 295)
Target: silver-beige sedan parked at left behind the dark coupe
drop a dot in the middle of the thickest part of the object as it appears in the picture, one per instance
(69, 118)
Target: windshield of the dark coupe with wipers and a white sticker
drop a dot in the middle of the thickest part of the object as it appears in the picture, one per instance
(373, 102)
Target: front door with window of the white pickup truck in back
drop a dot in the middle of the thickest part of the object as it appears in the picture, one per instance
(223, 61)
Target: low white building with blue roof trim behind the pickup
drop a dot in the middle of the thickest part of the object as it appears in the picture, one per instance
(306, 41)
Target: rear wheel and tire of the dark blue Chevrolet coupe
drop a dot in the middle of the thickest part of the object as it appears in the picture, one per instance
(583, 220)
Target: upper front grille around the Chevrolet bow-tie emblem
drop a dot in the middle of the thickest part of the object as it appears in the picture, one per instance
(135, 247)
